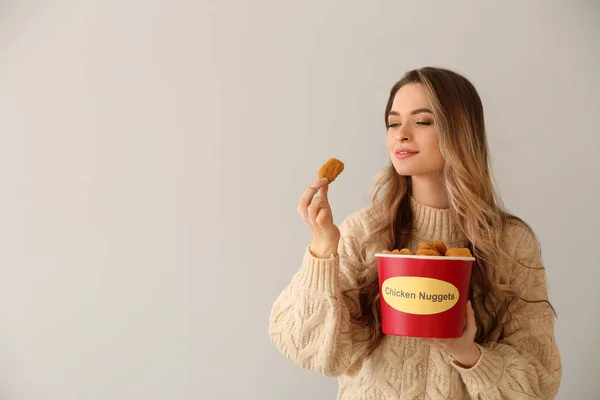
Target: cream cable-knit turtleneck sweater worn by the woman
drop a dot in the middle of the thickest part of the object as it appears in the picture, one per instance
(310, 325)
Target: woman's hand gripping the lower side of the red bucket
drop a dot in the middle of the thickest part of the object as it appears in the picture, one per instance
(462, 349)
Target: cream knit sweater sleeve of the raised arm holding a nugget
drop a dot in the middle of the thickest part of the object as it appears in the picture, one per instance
(310, 320)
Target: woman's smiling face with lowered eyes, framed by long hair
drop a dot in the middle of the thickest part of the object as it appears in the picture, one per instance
(412, 139)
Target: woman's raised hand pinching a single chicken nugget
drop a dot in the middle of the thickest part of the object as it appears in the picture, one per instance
(316, 211)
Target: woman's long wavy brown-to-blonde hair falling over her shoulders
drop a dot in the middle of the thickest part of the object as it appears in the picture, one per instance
(474, 204)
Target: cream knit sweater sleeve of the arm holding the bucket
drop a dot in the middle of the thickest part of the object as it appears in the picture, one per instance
(525, 363)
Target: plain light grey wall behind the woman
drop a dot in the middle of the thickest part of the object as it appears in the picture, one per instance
(152, 154)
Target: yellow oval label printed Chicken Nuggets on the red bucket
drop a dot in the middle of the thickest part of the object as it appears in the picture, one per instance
(417, 295)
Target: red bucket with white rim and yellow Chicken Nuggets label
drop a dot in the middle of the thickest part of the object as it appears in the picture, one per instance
(423, 296)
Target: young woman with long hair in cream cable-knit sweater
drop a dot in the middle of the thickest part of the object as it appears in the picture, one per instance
(438, 187)
